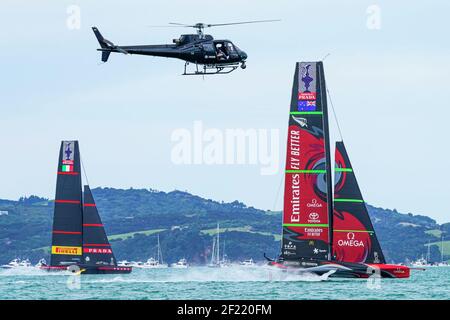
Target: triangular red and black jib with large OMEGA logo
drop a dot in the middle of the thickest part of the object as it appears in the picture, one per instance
(354, 236)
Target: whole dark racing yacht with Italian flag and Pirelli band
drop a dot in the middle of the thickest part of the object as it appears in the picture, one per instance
(79, 240)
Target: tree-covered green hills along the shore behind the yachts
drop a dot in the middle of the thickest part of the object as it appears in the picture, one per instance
(186, 224)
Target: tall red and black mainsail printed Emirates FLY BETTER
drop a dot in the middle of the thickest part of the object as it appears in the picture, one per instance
(307, 195)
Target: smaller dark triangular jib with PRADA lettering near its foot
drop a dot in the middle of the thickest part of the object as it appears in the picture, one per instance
(96, 248)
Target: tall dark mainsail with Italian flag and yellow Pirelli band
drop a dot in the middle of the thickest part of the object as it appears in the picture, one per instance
(67, 218)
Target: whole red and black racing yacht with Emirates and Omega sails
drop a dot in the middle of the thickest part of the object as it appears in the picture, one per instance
(324, 232)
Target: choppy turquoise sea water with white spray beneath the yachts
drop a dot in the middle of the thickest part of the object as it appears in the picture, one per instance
(235, 282)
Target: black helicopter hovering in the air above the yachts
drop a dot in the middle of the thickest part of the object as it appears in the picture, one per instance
(216, 56)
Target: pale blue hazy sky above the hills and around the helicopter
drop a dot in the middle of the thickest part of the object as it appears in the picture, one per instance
(386, 66)
